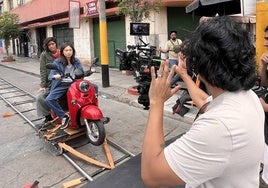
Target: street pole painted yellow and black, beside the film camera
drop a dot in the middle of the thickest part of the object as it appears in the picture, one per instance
(104, 44)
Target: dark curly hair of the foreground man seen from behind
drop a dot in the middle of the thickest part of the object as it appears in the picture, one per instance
(222, 53)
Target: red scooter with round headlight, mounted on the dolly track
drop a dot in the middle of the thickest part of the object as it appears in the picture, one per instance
(82, 106)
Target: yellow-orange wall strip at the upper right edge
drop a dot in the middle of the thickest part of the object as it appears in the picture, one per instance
(261, 23)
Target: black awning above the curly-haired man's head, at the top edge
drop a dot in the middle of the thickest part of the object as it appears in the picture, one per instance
(213, 7)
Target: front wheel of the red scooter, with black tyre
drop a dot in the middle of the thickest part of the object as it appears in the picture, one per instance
(95, 132)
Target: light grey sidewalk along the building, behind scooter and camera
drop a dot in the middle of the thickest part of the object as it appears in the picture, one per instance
(118, 90)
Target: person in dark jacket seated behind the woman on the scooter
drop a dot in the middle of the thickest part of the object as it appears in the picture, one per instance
(49, 54)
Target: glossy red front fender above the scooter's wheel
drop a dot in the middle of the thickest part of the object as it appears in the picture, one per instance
(91, 112)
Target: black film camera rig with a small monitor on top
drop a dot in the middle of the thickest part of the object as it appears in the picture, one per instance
(140, 58)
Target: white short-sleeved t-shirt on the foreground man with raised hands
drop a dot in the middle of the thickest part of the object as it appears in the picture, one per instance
(224, 146)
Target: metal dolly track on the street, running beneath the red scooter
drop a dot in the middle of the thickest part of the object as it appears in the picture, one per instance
(24, 103)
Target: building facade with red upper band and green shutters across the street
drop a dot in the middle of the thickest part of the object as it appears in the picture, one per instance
(44, 18)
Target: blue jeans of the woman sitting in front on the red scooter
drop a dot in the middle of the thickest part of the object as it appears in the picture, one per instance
(52, 98)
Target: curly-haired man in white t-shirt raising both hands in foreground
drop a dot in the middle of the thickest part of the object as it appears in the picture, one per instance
(224, 146)
